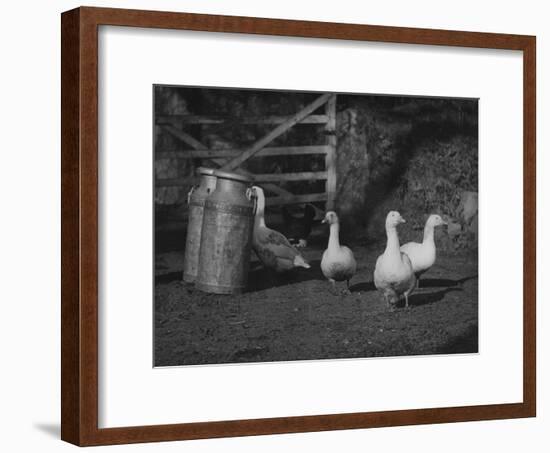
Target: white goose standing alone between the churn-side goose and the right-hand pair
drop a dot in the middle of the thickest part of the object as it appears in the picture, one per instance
(338, 263)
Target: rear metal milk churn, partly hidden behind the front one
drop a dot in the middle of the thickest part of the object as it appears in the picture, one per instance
(196, 199)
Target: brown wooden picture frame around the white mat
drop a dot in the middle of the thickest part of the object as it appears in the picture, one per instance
(79, 314)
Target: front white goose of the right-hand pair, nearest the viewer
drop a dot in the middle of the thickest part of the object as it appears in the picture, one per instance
(393, 275)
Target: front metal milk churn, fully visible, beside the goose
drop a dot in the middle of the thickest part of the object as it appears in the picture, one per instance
(226, 236)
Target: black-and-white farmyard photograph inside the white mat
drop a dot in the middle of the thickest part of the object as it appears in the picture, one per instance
(295, 225)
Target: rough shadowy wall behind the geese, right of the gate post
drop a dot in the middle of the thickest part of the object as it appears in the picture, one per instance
(418, 157)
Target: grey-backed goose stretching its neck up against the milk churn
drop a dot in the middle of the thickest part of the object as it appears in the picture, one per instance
(273, 249)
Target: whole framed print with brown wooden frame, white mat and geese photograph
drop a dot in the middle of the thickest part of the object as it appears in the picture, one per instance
(275, 226)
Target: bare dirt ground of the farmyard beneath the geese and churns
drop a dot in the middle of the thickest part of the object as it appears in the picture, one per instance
(296, 317)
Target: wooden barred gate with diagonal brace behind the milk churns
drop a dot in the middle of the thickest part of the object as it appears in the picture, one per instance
(233, 159)
